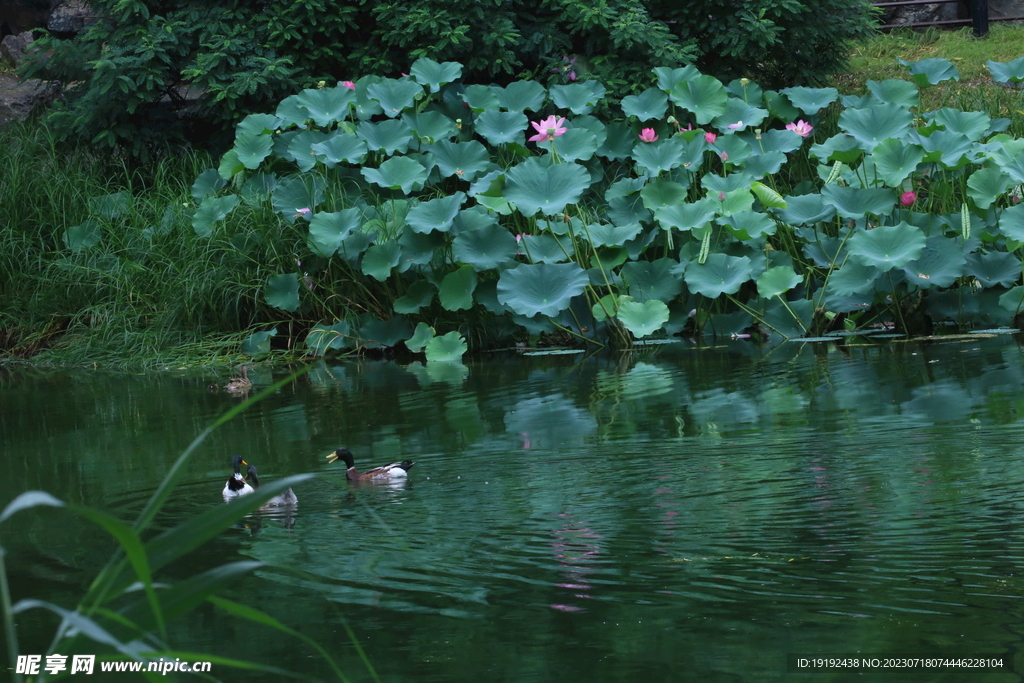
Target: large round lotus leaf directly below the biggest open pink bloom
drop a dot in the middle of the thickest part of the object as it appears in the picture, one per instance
(536, 186)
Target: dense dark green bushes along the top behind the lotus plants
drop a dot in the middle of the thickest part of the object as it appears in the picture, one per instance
(126, 76)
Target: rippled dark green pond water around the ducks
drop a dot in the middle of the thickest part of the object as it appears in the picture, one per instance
(674, 514)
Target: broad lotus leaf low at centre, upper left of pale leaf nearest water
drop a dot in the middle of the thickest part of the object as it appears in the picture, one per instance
(542, 288)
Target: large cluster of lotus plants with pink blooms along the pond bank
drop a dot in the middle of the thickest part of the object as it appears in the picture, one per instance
(425, 193)
